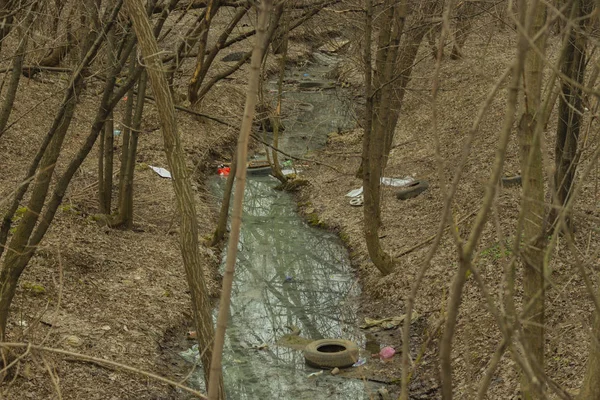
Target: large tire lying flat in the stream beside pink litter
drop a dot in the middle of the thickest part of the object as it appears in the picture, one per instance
(331, 353)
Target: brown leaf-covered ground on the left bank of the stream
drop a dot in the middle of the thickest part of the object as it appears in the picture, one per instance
(114, 294)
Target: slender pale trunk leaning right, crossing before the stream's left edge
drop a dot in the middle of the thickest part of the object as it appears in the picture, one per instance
(234, 237)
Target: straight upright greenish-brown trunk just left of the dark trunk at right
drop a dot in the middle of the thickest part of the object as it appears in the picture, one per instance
(532, 206)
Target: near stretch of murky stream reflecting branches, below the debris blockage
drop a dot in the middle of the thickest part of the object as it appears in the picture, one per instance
(288, 275)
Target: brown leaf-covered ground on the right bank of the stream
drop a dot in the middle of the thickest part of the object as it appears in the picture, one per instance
(409, 225)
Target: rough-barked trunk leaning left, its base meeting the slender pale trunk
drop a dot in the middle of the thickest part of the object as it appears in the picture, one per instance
(183, 189)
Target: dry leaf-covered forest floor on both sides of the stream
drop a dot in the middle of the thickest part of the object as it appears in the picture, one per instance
(120, 295)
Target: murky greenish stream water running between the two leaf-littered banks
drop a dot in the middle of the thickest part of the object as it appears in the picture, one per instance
(288, 274)
